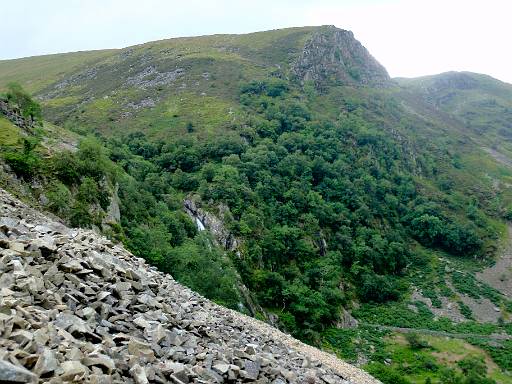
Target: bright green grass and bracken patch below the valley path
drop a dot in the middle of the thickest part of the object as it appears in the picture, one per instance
(415, 358)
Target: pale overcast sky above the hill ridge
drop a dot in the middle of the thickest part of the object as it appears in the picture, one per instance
(409, 37)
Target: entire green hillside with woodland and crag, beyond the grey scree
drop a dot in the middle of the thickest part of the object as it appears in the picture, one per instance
(284, 174)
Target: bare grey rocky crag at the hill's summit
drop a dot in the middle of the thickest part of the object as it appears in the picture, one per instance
(333, 56)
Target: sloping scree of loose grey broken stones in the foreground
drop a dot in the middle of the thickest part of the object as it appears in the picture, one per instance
(74, 307)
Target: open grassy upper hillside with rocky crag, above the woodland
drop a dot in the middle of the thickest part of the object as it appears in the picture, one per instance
(162, 86)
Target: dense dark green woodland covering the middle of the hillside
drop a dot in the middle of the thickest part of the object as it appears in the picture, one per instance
(326, 210)
